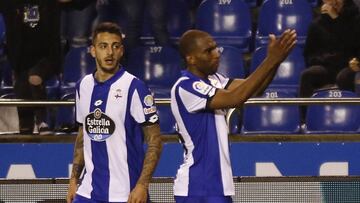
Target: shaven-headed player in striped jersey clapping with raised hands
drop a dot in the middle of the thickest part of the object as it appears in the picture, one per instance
(198, 100)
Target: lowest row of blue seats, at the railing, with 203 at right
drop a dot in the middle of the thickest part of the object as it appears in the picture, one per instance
(267, 119)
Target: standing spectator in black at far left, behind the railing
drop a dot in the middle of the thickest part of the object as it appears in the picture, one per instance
(33, 49)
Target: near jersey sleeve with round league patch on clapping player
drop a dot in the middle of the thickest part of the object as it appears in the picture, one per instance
(195, 95)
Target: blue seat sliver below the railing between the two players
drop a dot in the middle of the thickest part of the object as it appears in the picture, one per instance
(167, 120)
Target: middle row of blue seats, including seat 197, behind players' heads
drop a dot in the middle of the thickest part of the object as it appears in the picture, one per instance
(159, 67)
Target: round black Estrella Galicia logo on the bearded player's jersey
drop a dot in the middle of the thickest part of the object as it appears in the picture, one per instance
(99, 126)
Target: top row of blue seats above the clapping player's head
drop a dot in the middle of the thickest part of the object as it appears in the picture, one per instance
(231, 22)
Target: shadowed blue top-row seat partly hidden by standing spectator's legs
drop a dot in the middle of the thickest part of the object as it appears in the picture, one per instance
(178, 21)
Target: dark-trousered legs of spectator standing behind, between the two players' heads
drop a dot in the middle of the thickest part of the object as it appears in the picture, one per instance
(134, 12)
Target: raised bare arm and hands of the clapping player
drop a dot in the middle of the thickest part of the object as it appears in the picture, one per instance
(238, 93)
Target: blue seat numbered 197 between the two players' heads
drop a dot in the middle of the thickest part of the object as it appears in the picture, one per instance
(158, 66)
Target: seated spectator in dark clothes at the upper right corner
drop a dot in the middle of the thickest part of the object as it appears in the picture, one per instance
(332, 45)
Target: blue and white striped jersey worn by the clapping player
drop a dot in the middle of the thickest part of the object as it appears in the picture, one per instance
(206, 170)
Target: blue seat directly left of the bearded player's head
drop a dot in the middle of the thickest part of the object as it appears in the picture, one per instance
(77, 63)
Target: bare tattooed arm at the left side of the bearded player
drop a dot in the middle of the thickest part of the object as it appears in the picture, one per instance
(78, 166)
